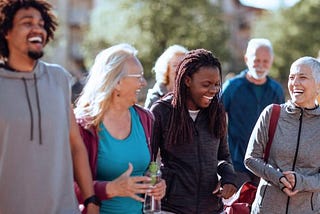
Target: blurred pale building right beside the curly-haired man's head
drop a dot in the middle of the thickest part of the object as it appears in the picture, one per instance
(74, 19)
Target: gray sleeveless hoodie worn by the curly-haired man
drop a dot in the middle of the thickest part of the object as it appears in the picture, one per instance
(36, 173)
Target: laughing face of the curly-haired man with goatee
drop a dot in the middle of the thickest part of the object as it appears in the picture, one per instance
(27, 36)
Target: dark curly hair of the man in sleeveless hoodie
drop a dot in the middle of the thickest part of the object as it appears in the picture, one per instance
(8, 9)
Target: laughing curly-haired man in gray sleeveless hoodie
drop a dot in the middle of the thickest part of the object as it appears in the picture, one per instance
(41, 150)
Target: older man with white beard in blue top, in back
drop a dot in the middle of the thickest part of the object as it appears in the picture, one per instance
(244, 97)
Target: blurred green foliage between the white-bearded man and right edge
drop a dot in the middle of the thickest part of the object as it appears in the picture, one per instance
(294, 33)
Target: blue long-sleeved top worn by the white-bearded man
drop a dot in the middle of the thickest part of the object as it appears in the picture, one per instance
(243, 109)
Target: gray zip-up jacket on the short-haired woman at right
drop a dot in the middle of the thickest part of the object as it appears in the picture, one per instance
(295, 147)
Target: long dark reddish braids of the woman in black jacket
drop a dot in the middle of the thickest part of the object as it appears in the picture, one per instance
(191, 63)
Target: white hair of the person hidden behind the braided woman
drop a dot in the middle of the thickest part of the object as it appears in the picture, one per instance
(161, 65)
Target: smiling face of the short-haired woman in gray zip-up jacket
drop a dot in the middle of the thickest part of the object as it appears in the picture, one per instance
(302, 86)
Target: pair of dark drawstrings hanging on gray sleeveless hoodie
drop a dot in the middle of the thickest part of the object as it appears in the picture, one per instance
(30, 108)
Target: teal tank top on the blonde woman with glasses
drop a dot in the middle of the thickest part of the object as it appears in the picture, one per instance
(113, 158)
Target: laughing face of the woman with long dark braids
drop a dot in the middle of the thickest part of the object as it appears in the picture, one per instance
(202, 87)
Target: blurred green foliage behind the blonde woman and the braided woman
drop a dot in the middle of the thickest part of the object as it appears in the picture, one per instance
(153, 25)
